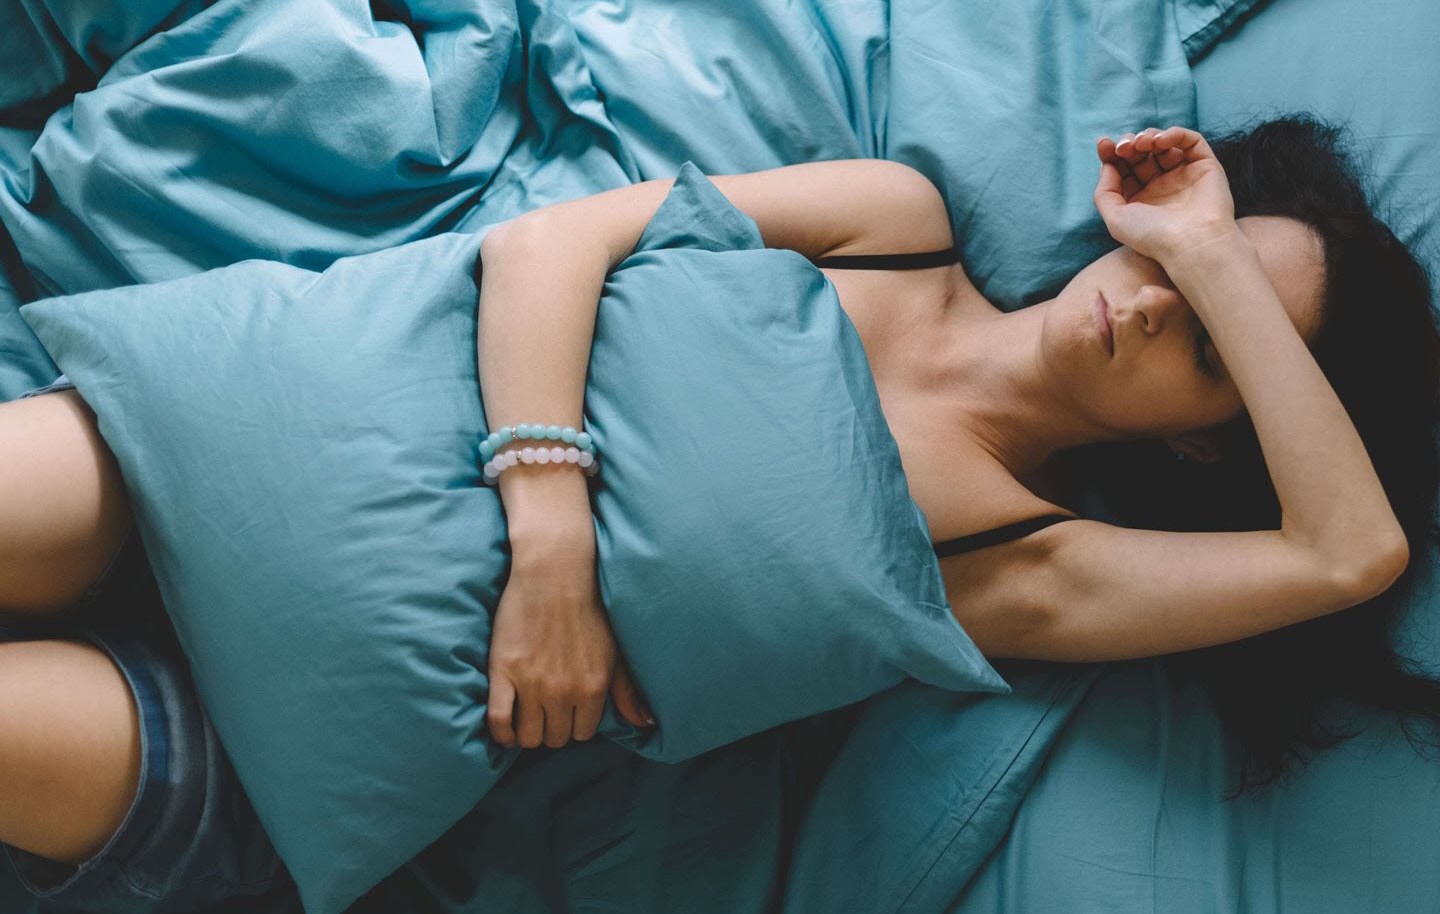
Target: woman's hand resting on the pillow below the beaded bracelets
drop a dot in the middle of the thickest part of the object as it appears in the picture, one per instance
(554, 657)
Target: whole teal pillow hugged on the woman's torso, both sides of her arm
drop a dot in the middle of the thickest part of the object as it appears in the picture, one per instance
(302, 456)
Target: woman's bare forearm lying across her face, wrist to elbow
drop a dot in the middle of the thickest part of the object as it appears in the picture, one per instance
(1330, 496)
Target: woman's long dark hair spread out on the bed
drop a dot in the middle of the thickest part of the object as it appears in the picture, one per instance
(1380, 349)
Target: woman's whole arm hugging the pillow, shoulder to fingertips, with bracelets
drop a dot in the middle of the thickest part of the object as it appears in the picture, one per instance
(541, 286)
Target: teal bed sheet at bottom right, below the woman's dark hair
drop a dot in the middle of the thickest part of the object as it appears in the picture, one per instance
(1127, 815)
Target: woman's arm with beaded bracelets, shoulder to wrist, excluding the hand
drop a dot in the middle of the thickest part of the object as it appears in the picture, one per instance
(544, 274)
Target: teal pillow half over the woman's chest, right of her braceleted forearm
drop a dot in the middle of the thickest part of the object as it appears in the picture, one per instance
(761, 564)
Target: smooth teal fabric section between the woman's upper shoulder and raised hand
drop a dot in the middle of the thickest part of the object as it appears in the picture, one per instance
(1002, 109)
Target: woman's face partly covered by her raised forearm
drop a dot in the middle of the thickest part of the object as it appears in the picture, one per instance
(1156, 384)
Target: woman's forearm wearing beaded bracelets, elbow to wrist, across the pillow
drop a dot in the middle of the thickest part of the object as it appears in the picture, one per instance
(536, 323)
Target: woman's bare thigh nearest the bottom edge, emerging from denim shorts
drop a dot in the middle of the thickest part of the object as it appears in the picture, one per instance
(70, 749)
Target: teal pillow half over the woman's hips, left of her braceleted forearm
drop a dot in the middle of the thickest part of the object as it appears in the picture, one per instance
(302, 464)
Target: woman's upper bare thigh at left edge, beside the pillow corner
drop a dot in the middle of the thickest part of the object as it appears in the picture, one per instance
(64, 510)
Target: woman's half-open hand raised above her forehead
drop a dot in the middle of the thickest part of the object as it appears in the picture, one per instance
(1163, 192)
